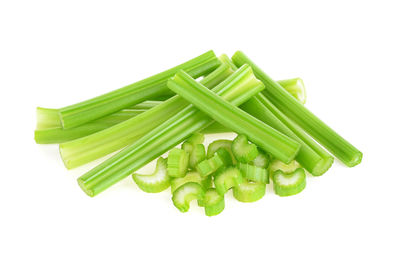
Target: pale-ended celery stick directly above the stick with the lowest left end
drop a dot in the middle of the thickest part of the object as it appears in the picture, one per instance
(92, 147)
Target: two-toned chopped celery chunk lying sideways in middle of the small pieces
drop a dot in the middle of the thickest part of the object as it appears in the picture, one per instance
(207, 167)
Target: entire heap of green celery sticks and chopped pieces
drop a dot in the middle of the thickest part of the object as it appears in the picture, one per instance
(278, 140)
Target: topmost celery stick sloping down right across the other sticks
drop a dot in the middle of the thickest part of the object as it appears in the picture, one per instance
(272, 141)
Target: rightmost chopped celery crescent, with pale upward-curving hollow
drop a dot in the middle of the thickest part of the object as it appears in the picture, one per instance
(287, 184)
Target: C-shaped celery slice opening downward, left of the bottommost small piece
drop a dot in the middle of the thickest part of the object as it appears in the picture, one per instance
(185, 194)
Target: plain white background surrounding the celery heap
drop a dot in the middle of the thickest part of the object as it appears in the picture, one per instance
(55, 53)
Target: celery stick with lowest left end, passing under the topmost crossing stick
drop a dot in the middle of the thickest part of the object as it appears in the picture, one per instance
(237, 88)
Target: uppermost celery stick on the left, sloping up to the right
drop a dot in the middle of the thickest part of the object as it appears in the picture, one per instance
(86, 111)
